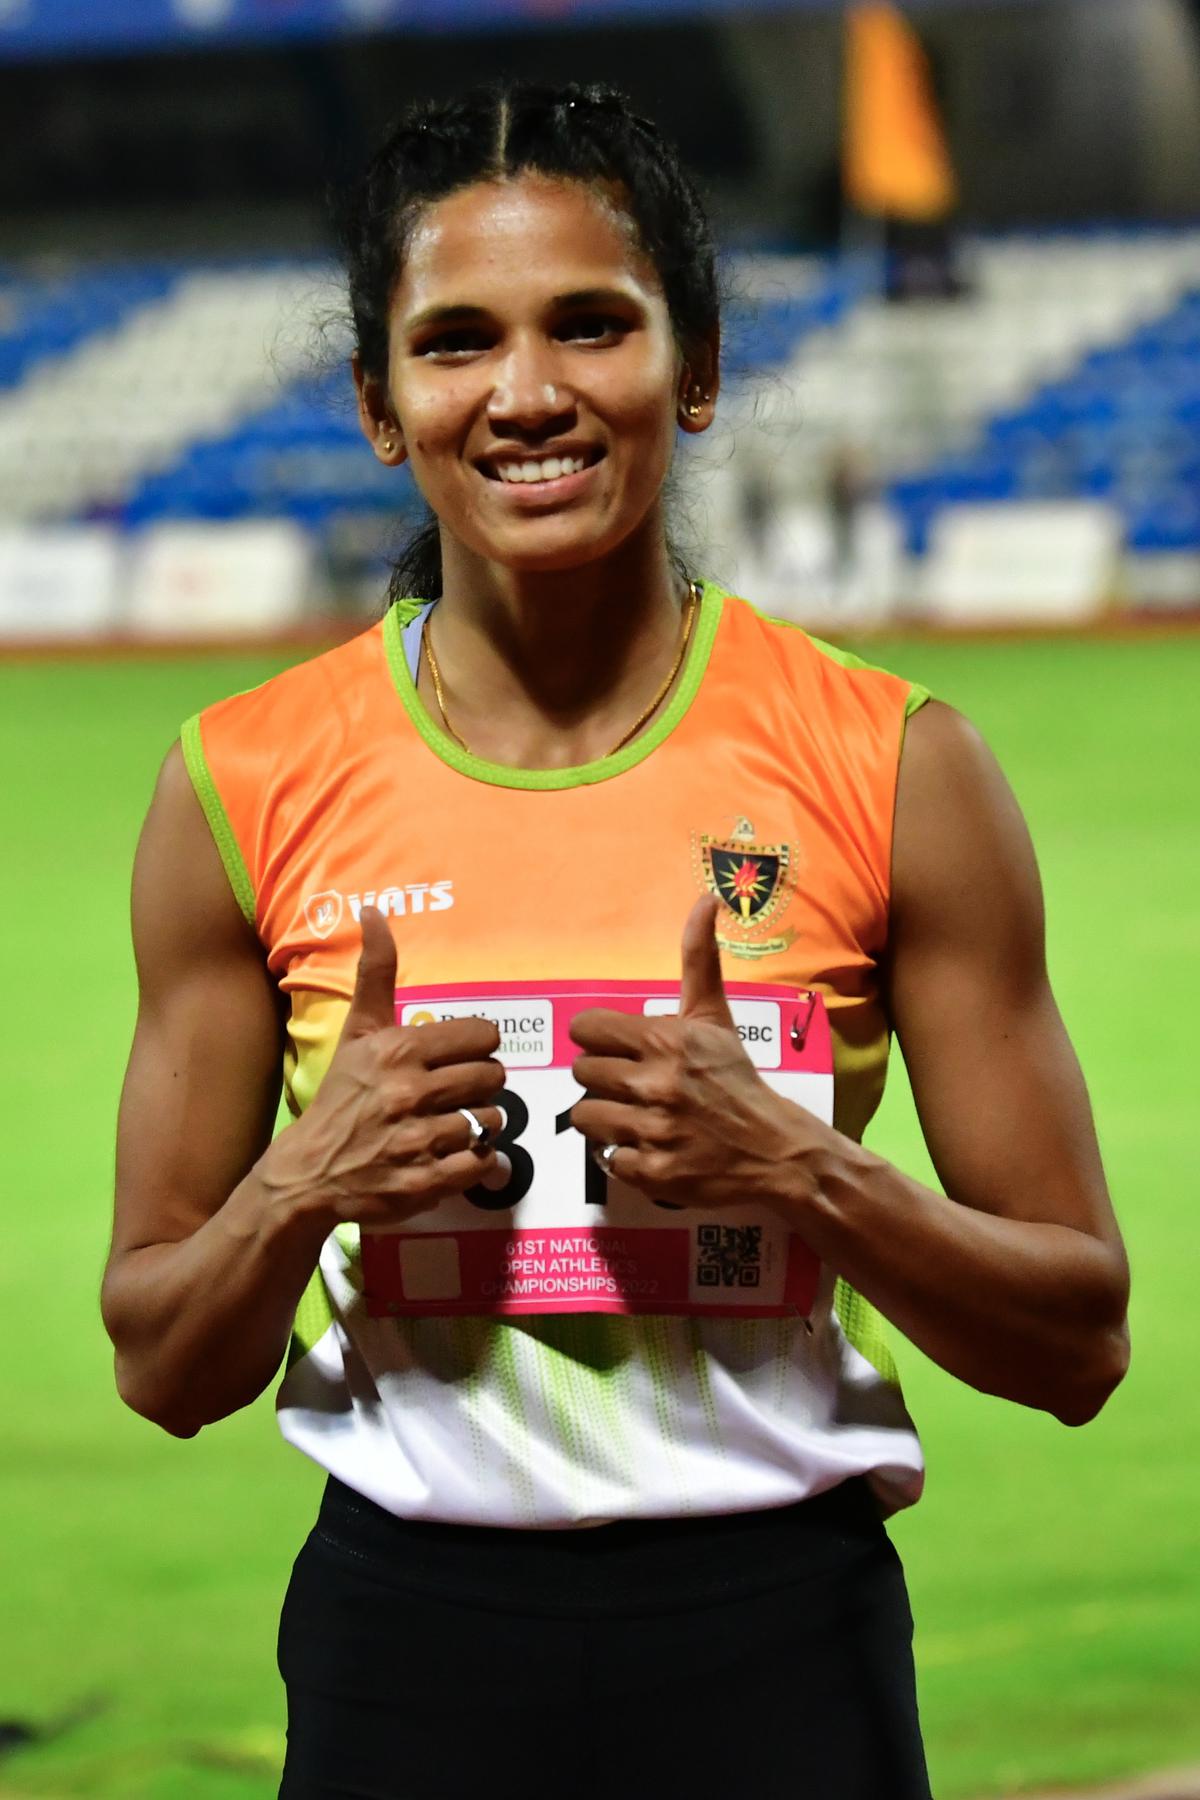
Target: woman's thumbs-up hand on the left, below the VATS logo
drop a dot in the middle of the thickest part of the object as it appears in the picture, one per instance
(384, 1137)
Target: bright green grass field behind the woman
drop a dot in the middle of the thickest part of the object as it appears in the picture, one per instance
(1055, 1574)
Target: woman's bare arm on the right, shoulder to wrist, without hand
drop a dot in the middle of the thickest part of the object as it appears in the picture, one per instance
(1017, 1282)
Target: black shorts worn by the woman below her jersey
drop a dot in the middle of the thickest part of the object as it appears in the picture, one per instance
(748, 1657)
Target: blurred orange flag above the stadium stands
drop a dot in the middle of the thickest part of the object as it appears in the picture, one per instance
(897, 161)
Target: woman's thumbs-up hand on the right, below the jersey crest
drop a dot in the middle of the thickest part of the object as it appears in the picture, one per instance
(695, 1120)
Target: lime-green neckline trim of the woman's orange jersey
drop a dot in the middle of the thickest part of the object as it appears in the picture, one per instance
(584, 775)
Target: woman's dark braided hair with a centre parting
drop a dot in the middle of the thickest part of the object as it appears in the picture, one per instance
(582, 134)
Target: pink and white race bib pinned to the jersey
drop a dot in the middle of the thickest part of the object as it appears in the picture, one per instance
(562, 1236)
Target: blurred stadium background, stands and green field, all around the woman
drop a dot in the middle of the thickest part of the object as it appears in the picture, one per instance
(960, 420)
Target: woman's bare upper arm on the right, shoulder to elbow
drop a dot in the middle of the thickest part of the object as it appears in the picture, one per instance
(996, 1079)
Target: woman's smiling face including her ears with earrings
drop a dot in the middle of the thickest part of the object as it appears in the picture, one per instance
(535, 382)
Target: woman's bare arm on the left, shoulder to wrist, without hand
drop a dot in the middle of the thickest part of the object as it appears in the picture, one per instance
(202, 1264)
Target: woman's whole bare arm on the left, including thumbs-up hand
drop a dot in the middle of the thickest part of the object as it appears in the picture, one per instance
(217, 1230)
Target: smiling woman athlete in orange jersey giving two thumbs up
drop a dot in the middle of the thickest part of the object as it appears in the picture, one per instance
(609, 1545)
